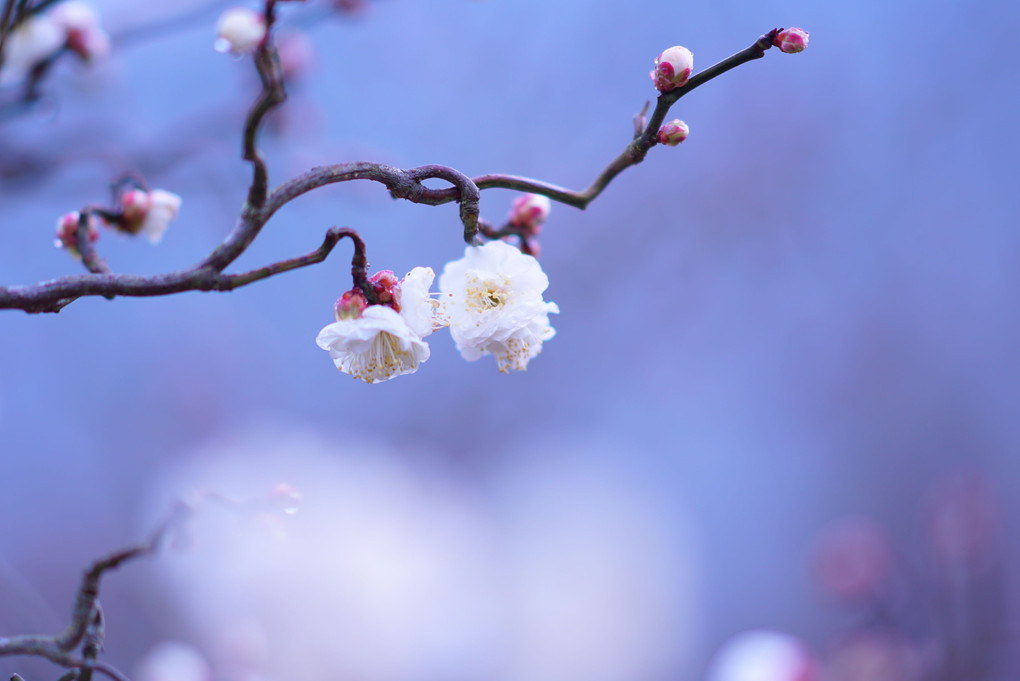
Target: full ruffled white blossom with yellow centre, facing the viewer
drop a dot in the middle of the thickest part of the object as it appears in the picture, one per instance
(493, 300)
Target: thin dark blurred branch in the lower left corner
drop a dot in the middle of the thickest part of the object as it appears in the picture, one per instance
(86, 628)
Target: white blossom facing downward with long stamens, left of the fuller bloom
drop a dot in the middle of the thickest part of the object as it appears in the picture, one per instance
(378, 343)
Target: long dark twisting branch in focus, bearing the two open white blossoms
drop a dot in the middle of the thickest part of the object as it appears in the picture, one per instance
(54, 295)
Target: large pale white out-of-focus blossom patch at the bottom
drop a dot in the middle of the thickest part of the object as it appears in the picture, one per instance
(393, 571)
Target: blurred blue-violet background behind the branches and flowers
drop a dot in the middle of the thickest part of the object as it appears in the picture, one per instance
(783, 394)
